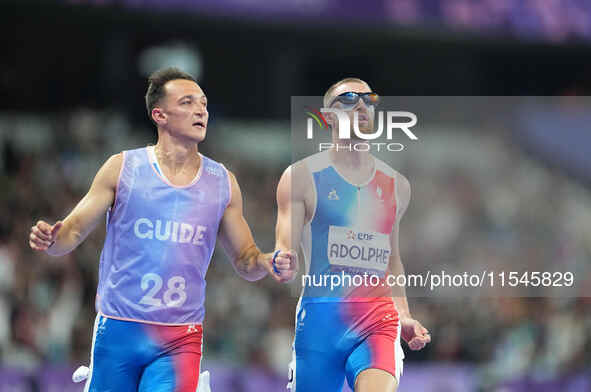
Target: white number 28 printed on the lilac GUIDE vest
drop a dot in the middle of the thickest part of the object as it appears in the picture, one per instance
(174, 296)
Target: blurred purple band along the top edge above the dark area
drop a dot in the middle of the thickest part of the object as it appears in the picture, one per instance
(555, 20)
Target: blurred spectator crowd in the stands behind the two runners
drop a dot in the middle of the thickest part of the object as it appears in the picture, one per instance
(47, 304)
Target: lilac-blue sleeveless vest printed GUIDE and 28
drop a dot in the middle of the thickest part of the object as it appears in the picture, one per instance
(160, 239)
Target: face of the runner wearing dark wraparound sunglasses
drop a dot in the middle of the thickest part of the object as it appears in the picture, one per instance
(366, 113)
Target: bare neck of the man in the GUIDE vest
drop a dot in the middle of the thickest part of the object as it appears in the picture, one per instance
(176, 154)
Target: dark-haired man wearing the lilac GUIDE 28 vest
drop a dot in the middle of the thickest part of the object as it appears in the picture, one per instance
(166, 206)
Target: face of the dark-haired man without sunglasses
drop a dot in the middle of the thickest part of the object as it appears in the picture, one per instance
(184, 110)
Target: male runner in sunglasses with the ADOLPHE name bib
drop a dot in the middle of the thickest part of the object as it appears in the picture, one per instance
(344, 207)
